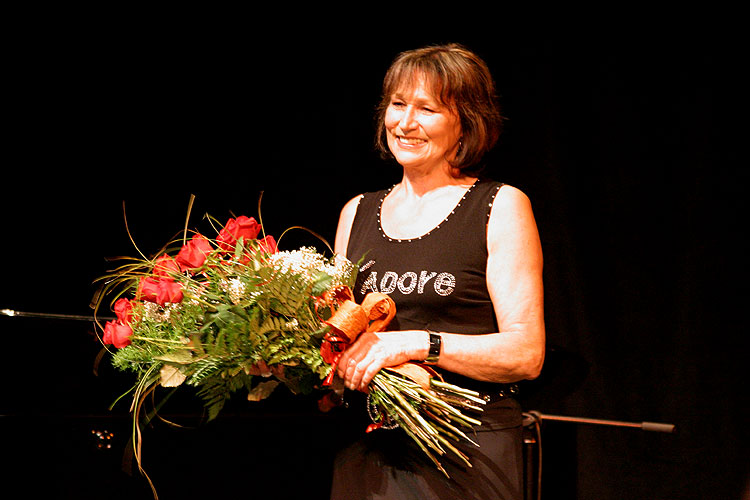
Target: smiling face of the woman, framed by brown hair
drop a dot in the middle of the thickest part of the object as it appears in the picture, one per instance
(421, 132)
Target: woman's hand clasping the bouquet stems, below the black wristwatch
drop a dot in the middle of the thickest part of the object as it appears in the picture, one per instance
(373, 351)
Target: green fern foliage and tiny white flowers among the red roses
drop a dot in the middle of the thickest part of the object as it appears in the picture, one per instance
(239, 309)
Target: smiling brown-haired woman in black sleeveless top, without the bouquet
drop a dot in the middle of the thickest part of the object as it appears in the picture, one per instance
(460, 255)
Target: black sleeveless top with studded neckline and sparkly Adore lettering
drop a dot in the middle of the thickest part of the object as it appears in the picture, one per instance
(438, 280)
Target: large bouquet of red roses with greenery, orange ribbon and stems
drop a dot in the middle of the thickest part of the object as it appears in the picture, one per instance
(216, 313)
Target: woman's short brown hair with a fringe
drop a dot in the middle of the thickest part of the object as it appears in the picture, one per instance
(461, 80)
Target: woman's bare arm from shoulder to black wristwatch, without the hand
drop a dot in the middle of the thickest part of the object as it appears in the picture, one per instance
(514, 279)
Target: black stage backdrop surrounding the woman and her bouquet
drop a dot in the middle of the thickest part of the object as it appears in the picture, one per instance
(624, 140)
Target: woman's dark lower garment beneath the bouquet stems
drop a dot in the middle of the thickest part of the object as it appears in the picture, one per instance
(387, 464)
